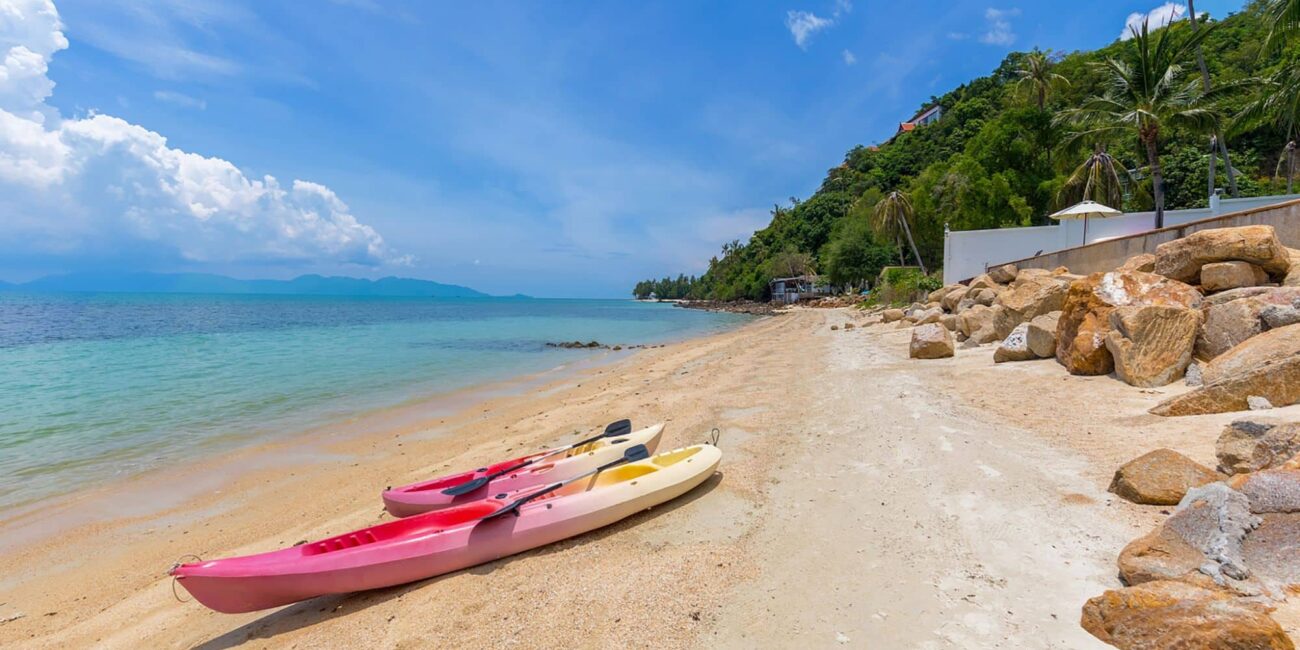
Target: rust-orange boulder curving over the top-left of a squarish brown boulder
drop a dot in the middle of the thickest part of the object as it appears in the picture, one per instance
(1086, 314)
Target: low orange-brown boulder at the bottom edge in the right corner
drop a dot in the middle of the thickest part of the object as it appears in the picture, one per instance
(1175, 616)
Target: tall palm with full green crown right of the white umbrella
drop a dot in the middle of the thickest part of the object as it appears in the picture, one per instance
(1149, 97)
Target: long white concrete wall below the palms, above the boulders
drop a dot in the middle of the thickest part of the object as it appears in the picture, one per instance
(970, 253)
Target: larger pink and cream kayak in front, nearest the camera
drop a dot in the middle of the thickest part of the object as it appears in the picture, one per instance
(449, 540)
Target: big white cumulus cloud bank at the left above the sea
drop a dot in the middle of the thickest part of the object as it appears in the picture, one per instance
(94, 185)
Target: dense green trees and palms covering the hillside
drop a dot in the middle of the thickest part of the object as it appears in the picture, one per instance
(1035, 136)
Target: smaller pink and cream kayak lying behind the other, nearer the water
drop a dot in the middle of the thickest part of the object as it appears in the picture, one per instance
(427, 496)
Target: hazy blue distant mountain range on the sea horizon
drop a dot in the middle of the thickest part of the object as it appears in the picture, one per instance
(213, 284)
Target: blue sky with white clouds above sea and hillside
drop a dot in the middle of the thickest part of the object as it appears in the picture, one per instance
(548, 149)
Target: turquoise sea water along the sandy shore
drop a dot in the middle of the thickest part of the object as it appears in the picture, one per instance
(103, 385)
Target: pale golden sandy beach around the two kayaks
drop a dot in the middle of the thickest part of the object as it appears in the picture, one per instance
(864, 501)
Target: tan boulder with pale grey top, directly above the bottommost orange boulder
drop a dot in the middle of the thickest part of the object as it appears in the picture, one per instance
(1201, 543)
